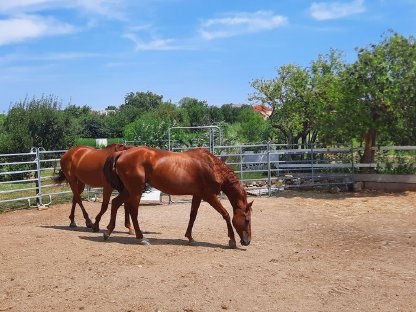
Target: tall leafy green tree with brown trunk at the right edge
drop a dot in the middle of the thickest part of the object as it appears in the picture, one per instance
(380, 92)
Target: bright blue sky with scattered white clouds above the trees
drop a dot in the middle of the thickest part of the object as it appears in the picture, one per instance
(93, 52)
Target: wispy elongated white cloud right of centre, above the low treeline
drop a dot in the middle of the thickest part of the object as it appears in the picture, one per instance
(240, 24)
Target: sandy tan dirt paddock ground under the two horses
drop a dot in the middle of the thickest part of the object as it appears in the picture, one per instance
(310, 252)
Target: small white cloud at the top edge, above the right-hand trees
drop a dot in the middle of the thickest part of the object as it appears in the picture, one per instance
(333, 10)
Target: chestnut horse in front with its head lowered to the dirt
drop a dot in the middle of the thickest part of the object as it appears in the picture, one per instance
(195, 172)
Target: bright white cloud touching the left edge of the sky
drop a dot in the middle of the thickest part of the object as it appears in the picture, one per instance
(21, 28)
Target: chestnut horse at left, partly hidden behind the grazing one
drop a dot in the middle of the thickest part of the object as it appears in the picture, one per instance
(83, 165)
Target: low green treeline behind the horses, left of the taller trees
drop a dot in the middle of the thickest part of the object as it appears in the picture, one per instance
(143, 117)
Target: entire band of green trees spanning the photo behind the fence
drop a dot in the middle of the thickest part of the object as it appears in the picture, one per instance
(369, 102)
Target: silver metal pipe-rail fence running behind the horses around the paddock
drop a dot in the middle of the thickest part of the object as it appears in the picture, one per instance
(262, 168)
